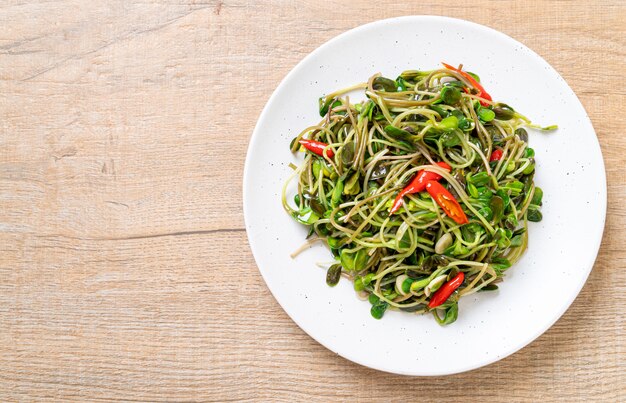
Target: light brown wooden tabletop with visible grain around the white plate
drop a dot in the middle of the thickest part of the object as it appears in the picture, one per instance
(125, 271)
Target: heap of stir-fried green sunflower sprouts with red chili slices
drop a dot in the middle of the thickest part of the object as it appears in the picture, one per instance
(425, 256)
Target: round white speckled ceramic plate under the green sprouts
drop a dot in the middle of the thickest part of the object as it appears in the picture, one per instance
(536, 291)
